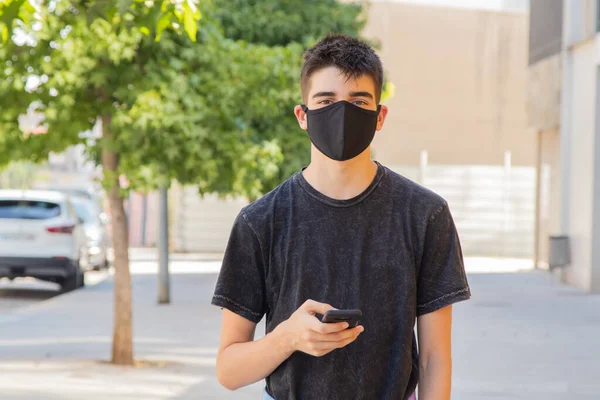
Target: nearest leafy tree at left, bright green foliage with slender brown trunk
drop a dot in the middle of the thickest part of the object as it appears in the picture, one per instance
(83, 62)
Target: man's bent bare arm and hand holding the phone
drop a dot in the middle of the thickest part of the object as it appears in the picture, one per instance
(242, 360)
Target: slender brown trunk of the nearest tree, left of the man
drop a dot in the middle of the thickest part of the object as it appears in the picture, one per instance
(122, 351)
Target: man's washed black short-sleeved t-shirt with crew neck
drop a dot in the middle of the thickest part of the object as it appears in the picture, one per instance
(392, 252)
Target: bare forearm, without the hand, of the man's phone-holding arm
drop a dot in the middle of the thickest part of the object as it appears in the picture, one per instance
(242, 364)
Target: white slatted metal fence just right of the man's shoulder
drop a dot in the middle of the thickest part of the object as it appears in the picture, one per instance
(493, 206)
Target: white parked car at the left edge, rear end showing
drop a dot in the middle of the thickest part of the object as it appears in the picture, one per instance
(41, 237)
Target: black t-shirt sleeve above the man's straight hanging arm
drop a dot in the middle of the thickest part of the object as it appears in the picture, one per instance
(441, 280)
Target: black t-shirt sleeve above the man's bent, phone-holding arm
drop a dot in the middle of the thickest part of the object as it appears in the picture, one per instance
(241, 284)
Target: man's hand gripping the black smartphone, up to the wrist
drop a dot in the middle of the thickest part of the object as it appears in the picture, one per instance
(304, 332)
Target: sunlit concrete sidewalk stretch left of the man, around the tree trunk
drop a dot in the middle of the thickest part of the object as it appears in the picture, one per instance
(57, 349)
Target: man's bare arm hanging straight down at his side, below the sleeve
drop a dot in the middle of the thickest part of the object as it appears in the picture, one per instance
(435, 356)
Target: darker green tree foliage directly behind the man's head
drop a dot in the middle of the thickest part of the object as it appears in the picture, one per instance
(281, 31)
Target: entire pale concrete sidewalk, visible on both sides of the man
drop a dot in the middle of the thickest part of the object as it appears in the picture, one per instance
(522, 336)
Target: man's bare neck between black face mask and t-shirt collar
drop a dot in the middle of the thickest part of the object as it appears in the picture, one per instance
(341, 180)
